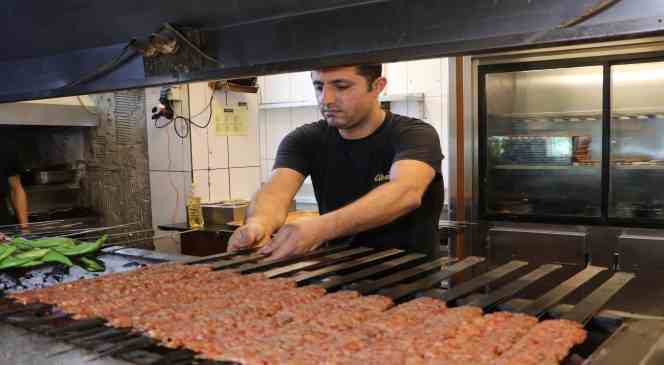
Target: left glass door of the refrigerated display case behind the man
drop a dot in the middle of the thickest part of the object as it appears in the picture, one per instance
(542, 142)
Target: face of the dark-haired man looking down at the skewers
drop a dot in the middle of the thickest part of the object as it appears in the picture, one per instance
(344, 97)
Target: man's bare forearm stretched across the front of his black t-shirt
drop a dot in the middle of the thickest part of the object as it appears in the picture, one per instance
(381, 206)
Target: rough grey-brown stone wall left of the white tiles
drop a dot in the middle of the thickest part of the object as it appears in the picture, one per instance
(117, 182)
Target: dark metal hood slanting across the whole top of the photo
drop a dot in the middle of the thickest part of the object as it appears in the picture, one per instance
(47, 44)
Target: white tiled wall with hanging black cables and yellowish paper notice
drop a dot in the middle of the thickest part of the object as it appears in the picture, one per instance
(222, 167)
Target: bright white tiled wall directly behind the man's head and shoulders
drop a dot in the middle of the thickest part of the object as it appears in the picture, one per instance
(428, 77)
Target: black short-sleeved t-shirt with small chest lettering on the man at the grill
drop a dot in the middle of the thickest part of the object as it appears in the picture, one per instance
(343, 171)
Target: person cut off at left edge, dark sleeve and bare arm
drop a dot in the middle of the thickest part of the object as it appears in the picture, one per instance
(11, 189)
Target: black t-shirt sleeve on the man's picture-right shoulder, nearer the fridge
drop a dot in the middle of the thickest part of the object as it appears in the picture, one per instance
(417, 140)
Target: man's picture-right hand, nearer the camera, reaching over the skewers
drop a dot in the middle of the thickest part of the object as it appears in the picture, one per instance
(295, 238)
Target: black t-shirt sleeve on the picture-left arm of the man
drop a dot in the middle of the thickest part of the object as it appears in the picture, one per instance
(294, 151)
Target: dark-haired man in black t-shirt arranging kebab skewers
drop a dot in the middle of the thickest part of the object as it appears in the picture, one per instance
(376, 175)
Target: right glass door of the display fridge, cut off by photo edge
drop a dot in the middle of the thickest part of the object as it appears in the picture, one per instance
(637, 142)
